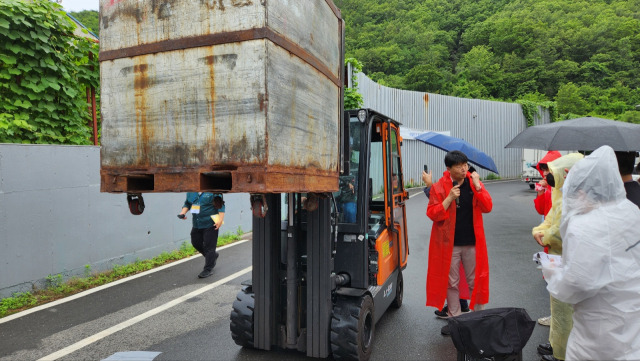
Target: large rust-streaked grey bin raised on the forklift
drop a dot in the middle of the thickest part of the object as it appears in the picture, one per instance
(220, 95)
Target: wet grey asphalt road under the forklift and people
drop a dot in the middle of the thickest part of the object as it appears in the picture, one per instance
(180, 317)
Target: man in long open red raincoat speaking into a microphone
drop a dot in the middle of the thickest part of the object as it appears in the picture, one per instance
(456, 204)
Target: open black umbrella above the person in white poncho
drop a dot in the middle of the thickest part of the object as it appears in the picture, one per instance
(586, 133)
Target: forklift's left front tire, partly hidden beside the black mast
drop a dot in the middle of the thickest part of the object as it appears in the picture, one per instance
(242, 317)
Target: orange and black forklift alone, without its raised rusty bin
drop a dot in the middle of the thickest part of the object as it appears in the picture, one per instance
(326, 266)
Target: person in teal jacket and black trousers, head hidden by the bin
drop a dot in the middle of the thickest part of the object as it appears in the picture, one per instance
(207, 210)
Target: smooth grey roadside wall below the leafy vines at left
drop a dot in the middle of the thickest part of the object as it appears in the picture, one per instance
(54, 220)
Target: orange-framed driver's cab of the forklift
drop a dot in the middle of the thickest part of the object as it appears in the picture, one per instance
(371, 201)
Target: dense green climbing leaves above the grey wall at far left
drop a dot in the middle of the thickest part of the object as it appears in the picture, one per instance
(45, 71)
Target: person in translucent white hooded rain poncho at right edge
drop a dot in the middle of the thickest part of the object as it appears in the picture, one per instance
(600, 272)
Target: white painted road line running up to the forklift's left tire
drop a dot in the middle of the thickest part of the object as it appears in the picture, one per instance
(111, 330)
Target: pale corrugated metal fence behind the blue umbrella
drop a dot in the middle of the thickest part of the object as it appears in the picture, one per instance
(488, 125)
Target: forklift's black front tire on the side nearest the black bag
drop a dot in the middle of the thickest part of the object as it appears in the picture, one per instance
(352, 328)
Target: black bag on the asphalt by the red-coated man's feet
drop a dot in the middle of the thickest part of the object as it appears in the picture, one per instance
(492, 332)
